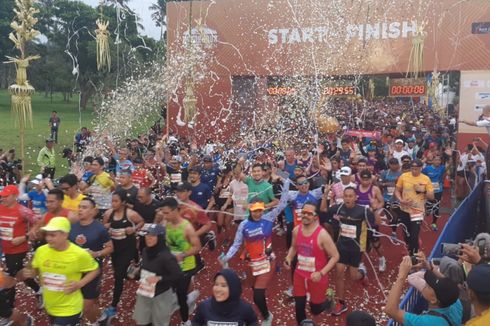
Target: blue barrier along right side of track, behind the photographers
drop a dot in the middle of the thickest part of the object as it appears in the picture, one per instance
(464, 223)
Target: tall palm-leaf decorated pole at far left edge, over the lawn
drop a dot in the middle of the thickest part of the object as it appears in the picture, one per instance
(21, 91)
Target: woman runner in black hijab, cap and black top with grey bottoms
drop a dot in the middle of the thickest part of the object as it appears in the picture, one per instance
(160, 273)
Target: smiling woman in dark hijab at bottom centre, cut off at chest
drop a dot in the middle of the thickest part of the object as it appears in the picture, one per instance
(225, 305)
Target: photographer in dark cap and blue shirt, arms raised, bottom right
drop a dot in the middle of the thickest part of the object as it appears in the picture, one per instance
(441, 293)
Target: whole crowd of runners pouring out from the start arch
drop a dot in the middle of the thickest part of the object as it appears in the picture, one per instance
(147, 209)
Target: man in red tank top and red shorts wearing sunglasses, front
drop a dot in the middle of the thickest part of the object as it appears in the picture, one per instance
(313, 245)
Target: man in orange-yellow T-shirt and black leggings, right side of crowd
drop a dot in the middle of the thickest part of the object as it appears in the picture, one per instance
(412, 190)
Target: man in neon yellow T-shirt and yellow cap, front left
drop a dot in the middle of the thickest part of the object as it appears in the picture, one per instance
(64, 268)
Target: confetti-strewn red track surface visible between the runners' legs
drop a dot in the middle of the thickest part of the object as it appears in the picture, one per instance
(368, 298)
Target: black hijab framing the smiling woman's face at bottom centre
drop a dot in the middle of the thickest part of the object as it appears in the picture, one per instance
(226, 307)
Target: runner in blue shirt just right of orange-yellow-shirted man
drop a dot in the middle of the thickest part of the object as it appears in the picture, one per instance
(435, 171)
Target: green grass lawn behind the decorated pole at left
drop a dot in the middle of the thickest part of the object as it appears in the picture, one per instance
(35, 137)
